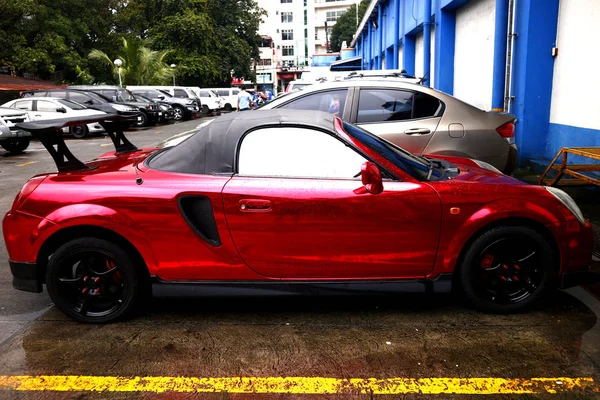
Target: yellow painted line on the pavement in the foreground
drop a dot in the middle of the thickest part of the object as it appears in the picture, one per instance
(298, 385)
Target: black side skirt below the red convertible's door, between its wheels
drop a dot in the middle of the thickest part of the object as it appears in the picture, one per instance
(160, 288)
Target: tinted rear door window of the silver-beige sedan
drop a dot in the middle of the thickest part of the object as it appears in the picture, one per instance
(380, 105)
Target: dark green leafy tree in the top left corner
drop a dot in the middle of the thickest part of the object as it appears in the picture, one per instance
(43, 37)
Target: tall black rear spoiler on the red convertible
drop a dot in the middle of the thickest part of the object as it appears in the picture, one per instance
(50, 134)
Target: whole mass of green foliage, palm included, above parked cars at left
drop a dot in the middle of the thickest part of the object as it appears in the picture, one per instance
(206, 39)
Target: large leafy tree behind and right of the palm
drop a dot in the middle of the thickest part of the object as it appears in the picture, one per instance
(208, 38)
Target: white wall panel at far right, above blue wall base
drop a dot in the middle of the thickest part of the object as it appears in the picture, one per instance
(575, 99)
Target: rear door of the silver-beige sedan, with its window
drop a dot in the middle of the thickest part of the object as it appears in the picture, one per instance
(404, 117)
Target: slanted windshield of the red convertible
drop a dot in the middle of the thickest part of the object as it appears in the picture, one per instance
(417, 167)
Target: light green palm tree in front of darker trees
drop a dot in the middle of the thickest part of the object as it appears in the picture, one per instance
(141, 65)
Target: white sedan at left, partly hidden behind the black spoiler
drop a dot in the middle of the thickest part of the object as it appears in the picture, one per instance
(40, 109)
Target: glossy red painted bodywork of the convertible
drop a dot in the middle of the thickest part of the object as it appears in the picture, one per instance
(291, 229)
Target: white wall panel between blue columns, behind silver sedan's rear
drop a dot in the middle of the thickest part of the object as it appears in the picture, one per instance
(474, 52)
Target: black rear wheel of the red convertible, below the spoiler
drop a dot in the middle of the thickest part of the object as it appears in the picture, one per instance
(93, 280)
